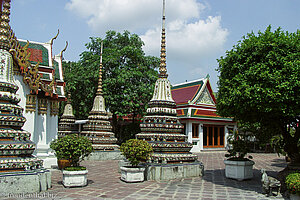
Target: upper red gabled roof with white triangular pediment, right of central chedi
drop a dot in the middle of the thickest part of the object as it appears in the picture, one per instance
(193, 92)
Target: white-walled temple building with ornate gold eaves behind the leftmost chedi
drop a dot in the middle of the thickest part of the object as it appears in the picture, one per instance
(41, 89)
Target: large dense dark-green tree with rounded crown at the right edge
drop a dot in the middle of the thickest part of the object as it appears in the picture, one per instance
(259, 83)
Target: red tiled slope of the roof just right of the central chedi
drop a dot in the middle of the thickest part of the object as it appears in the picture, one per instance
(183, 95)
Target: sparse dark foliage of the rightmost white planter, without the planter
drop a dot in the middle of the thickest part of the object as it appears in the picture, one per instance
(240, 147)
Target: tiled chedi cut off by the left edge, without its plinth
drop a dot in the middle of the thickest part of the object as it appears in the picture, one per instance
(16, 149)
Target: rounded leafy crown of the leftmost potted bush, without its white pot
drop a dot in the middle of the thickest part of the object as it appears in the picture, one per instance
(72, 147)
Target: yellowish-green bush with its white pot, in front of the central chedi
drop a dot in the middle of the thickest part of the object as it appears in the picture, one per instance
(135, 151)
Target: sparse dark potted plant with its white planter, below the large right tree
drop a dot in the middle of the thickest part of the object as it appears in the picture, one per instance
(237, 165)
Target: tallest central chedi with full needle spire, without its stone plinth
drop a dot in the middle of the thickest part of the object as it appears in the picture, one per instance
(161, 127)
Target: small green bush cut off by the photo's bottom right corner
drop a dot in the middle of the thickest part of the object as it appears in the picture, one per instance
(293, 185)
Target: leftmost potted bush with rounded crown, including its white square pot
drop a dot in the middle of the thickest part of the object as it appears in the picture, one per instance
(74, 148)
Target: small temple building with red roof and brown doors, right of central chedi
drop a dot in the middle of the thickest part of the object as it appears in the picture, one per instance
(196, 109)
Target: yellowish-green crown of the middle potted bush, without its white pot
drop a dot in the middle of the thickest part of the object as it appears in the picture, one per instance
(136, 151)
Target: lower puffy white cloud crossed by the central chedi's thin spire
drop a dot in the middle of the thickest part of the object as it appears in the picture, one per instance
(188, 40)
